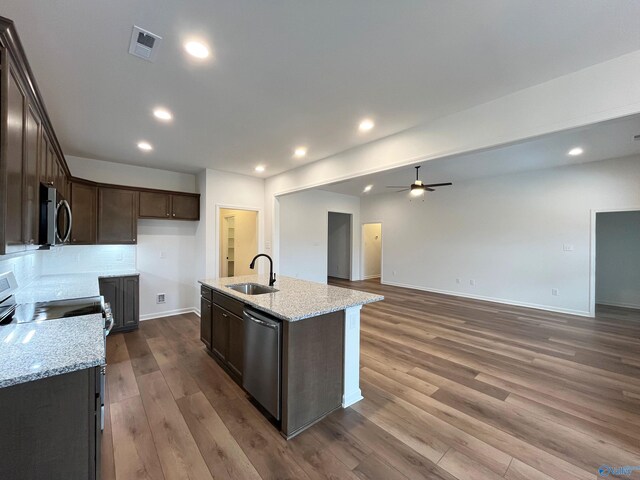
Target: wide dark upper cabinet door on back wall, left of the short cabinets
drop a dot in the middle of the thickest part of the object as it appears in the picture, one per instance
(117, 215)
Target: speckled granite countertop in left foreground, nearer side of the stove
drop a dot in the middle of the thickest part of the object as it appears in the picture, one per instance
(30, 351)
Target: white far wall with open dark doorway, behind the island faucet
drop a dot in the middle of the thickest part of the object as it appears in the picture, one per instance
(304, 233)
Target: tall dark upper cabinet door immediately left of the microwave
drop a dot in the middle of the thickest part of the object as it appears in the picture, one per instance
(32, 182)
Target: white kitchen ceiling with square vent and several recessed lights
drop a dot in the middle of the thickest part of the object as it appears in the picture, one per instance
(290, 72)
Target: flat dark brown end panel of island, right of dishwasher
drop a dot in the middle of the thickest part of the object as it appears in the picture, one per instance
(312, 370)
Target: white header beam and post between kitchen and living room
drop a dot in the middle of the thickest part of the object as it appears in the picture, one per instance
(600, 92)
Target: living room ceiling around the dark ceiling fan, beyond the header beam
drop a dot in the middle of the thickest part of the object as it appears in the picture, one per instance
(602, 141)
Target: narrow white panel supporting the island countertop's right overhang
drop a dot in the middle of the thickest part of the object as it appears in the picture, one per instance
(351, 392)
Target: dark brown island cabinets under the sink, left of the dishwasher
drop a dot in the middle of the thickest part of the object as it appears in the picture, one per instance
(222, 330)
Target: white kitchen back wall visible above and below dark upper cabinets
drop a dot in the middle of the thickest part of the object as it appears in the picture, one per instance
(174, 241)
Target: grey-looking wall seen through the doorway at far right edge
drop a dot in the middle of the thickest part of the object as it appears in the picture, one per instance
(618, 259)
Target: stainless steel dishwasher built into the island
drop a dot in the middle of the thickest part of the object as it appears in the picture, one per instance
(262, 376)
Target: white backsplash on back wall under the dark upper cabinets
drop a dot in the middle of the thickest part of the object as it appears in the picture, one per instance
(88, 258)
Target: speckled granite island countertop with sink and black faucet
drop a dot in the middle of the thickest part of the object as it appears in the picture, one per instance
(295, 299)
